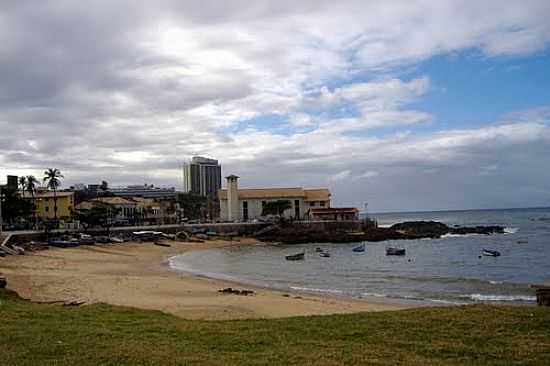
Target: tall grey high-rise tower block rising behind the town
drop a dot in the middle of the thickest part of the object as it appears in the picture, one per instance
(202, 176)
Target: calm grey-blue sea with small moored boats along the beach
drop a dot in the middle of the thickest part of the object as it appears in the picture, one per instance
(447, 270)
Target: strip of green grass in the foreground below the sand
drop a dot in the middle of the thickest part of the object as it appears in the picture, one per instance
(32, 334)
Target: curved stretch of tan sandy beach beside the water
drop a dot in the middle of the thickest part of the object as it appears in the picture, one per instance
(136, 275)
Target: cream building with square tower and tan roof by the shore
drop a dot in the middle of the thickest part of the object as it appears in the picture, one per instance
(247, 204)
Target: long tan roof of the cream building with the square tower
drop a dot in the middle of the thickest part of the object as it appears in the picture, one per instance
(270, 193)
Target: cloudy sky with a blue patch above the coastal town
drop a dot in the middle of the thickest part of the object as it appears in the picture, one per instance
(406, 105)
